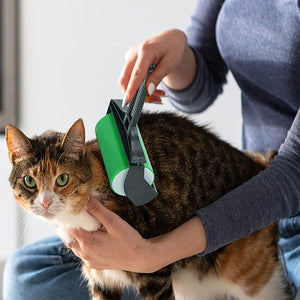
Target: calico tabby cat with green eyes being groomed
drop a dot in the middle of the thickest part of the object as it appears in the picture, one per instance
(53, 175)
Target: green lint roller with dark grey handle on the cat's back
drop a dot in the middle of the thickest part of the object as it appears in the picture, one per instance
(124, 155)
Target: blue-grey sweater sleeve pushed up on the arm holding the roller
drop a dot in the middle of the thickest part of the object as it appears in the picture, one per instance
(210, 68)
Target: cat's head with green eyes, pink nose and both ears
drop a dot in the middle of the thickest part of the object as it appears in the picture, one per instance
(51, 176)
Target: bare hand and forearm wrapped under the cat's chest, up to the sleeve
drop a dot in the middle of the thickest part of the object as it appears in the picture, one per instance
(118, 246)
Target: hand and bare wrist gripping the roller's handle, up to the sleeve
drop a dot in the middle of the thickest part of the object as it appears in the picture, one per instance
(174, 61)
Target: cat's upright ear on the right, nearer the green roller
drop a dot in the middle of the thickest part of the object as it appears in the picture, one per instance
(74, 140)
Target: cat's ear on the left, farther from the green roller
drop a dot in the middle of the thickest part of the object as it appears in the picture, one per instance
(18, 144)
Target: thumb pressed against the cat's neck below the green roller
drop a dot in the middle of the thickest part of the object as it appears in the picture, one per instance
(106, 217)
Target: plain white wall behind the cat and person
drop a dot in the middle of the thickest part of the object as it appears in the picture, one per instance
(71, 57)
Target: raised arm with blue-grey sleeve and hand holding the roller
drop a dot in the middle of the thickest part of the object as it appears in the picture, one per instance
(193, 70)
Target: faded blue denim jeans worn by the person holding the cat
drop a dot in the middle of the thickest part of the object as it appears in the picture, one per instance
(46, 270)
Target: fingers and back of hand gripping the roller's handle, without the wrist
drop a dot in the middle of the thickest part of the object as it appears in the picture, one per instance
(165, 50)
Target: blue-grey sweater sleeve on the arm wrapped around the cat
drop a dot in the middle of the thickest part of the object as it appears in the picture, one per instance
(271, 195)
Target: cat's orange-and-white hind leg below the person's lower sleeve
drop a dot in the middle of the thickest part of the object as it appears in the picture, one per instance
(251, 269)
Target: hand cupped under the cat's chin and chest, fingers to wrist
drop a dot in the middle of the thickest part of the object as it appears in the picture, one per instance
(117, 246)
